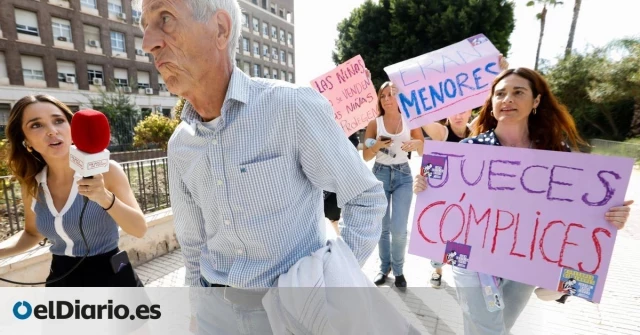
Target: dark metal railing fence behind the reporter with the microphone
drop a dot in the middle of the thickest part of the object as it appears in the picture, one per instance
(148, 179)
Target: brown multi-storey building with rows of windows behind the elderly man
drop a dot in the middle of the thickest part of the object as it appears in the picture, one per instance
(74, 49)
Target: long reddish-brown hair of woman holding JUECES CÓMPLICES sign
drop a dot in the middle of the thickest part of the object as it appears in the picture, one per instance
(549, 127)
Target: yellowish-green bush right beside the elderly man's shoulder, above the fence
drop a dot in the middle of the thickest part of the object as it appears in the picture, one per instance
(154, 129)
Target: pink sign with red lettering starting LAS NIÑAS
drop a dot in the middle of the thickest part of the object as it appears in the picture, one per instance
(351, 94)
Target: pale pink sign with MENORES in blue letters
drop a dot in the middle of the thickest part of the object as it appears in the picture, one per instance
(445, 82)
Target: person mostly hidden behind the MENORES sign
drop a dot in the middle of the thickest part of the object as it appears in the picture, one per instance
(454, 129)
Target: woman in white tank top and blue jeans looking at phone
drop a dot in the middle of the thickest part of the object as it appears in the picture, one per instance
(394, 143)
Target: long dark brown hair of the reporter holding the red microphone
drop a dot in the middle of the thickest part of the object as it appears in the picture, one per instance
(25, 165)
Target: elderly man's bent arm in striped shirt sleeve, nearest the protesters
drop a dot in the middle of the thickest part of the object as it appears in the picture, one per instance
(329, 161)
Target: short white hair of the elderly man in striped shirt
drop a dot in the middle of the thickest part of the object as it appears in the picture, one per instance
(203, 10)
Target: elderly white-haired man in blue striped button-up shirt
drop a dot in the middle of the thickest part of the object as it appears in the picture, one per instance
(249, 161)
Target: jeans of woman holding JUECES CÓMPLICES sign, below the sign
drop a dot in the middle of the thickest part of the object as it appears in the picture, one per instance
(477, 319)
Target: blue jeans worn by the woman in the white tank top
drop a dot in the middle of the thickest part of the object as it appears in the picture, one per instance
(398, 183)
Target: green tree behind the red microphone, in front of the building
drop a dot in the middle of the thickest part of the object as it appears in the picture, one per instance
(122, 113)
